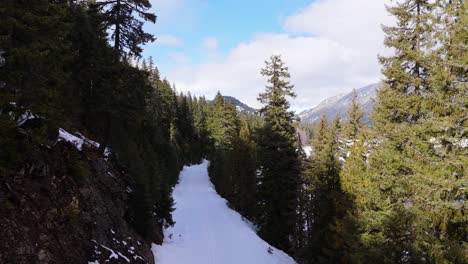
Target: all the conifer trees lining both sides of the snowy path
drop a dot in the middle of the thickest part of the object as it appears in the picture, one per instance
(391, 193)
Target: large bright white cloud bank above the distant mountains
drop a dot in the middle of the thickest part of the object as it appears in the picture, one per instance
(339, 55)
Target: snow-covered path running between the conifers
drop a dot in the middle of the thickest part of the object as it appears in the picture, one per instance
(207, 231)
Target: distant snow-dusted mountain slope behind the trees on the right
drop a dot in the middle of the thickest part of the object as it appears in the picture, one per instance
(339, 105)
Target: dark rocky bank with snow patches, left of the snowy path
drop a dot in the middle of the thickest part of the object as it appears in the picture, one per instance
(68, 206)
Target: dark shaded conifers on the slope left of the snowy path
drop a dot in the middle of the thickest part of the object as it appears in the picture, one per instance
(71, 64)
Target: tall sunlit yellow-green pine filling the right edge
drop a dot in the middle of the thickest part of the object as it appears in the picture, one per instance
(414, 176)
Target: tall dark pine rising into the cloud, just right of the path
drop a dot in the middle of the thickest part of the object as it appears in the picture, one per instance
(278, 158)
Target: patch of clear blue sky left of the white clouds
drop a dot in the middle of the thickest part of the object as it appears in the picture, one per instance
(227, 21)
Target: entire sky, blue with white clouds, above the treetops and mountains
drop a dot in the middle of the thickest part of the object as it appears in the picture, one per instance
(330, 46)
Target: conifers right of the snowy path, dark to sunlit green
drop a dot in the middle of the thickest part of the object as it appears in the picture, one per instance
(391, 193)
